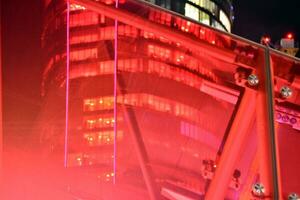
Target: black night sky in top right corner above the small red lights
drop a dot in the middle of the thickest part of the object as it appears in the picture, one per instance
(255, 18)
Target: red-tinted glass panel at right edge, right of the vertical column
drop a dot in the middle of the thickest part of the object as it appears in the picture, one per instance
(287, 120)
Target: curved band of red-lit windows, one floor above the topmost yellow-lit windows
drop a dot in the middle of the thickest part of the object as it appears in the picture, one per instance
(145, 66)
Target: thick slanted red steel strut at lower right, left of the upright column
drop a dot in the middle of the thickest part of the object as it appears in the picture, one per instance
(238, 133)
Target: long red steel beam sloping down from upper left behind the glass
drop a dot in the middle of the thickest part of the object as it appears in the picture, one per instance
(159, 29)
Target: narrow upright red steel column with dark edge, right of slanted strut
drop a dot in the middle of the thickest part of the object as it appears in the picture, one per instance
(269, 163)
